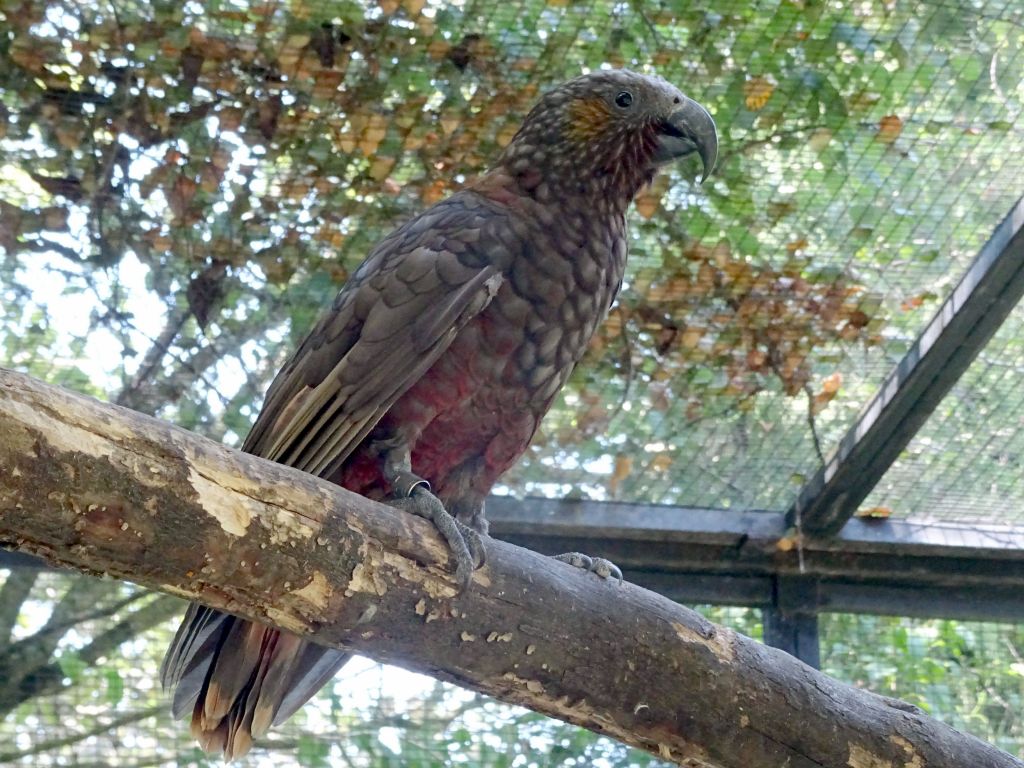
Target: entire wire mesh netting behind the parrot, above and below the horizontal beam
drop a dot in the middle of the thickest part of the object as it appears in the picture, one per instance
(184, 186)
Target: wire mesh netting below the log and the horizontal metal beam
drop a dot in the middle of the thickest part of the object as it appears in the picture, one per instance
(97, 702)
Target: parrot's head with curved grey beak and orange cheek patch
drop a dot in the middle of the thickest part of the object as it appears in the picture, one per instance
(610, 132)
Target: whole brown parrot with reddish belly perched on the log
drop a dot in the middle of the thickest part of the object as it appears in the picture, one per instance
(428, 377)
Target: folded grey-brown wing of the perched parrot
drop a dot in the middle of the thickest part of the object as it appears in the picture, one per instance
(399, 313)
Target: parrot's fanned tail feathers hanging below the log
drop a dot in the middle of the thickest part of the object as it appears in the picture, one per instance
(239, 678)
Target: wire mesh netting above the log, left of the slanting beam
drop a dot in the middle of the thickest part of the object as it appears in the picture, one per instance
(237, 160)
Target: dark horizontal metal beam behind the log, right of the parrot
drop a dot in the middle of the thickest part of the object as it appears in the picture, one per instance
(722, 557)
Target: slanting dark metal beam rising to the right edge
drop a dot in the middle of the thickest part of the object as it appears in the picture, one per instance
(989, 291)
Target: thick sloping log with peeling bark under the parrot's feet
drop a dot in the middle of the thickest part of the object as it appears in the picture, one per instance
(103, 490)
